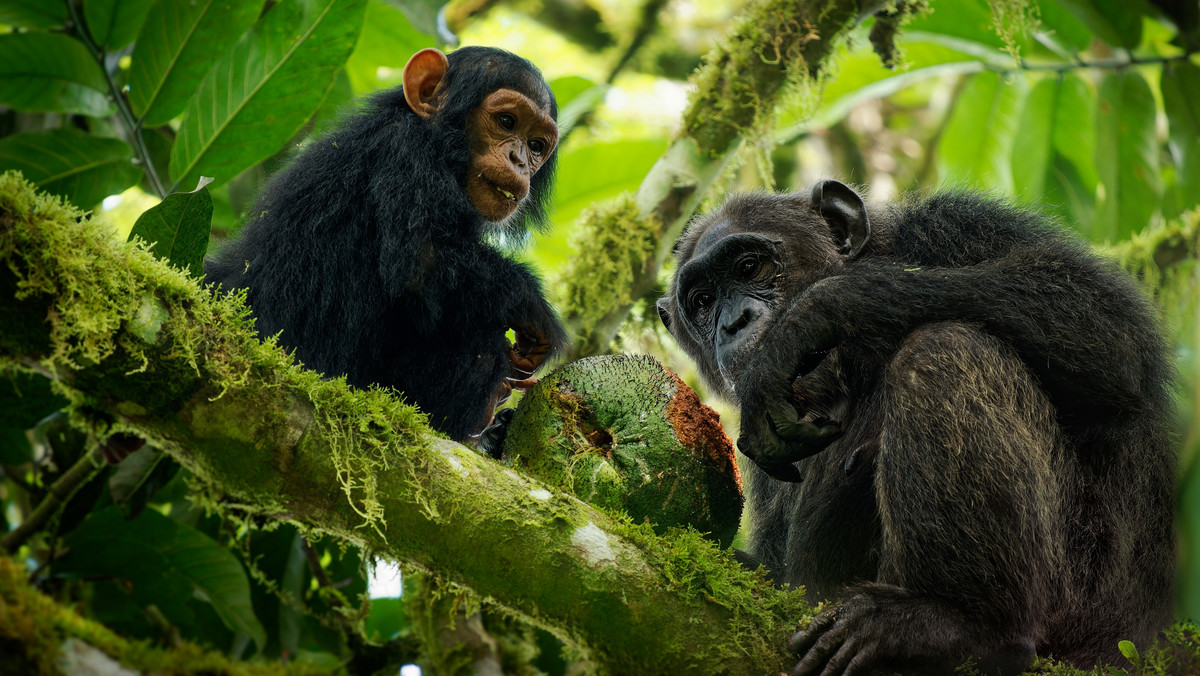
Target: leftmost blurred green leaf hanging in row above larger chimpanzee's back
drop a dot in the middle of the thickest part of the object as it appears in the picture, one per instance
(976, 146)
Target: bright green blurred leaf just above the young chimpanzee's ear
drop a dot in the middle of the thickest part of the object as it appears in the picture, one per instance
(387, 43)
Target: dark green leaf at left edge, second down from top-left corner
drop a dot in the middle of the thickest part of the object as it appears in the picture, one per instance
(46, 73)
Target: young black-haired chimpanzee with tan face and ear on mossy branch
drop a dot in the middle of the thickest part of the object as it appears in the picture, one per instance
(368, 253)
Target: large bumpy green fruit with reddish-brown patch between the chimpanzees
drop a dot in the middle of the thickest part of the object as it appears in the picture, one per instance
(623, 433)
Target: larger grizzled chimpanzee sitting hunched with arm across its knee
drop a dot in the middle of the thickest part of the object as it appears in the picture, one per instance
(975, 408)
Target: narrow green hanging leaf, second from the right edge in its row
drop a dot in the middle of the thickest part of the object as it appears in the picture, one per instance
(1127, 157)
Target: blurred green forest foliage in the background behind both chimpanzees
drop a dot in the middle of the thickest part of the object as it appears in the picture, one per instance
(165, 117)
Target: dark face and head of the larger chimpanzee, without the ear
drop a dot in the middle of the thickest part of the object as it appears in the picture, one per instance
(737, 272)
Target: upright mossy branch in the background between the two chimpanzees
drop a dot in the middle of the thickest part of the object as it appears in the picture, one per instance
(775, 47)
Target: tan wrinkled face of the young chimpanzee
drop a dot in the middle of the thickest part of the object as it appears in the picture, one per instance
(512, 137)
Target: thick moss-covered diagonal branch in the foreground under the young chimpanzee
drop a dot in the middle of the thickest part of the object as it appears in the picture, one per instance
(128, 338)
